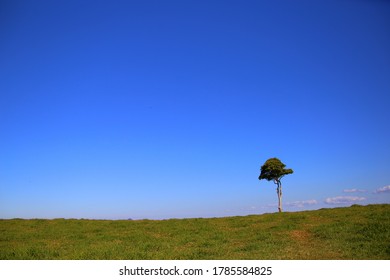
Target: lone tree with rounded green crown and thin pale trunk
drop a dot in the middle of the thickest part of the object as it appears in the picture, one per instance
(273, 169)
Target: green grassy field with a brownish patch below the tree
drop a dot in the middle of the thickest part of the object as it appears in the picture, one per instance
(356, 232)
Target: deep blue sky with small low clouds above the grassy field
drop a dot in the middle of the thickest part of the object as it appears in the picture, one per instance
(167, 109)
